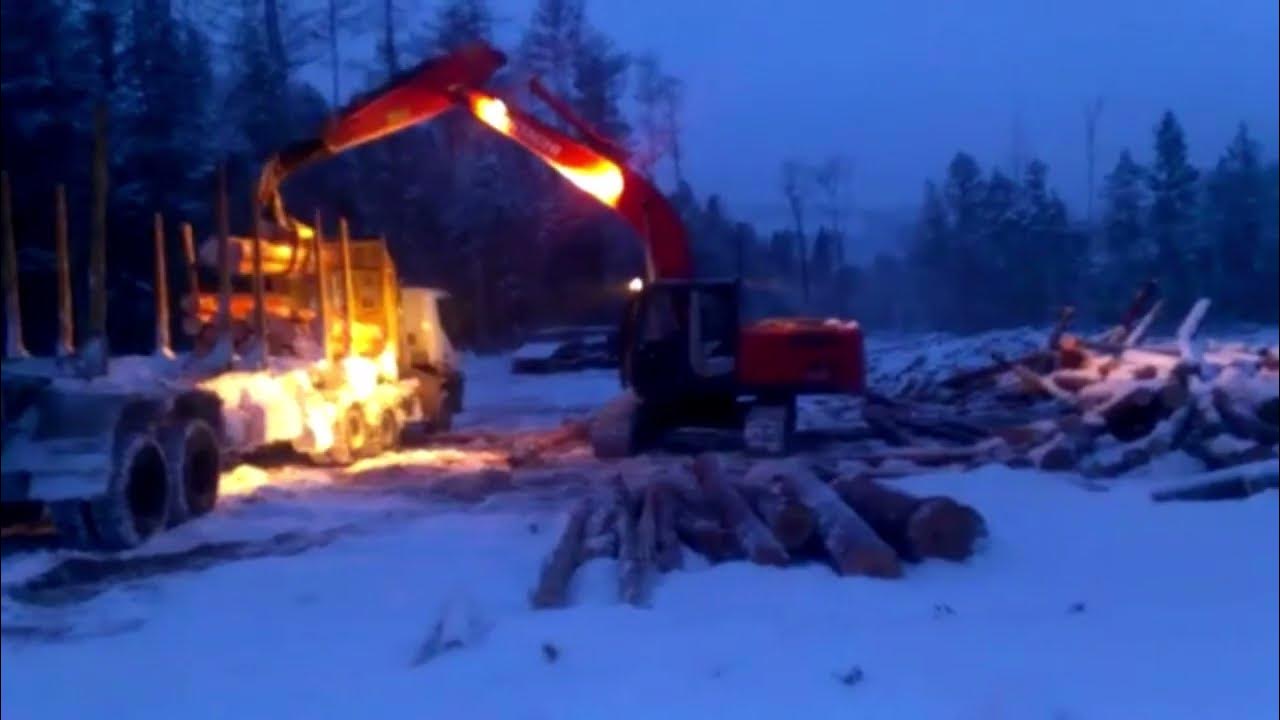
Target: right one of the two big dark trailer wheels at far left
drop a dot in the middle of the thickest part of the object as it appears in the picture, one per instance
(195, 462)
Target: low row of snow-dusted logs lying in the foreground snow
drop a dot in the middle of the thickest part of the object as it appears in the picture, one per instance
(772, 513)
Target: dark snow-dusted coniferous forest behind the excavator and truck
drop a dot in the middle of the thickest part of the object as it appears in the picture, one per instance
(190, 85)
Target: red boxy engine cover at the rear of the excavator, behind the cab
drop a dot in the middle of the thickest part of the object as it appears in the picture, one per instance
(802, 356)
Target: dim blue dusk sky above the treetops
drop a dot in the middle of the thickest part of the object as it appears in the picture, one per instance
(899, 88)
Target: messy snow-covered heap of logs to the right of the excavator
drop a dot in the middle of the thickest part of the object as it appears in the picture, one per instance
(1101, 407)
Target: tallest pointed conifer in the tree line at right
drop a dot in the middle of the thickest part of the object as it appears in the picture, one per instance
(1173, 211)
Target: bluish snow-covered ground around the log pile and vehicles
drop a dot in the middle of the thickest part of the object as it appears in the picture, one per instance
(310, 595)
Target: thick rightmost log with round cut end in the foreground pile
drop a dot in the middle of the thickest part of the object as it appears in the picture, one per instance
(915, 527)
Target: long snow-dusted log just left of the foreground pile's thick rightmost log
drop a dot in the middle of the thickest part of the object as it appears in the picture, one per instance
(853, 545)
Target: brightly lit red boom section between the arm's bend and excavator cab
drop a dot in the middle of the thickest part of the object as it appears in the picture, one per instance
(602, 175)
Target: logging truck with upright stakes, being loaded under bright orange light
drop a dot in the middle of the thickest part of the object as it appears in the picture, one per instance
(332, 358)
